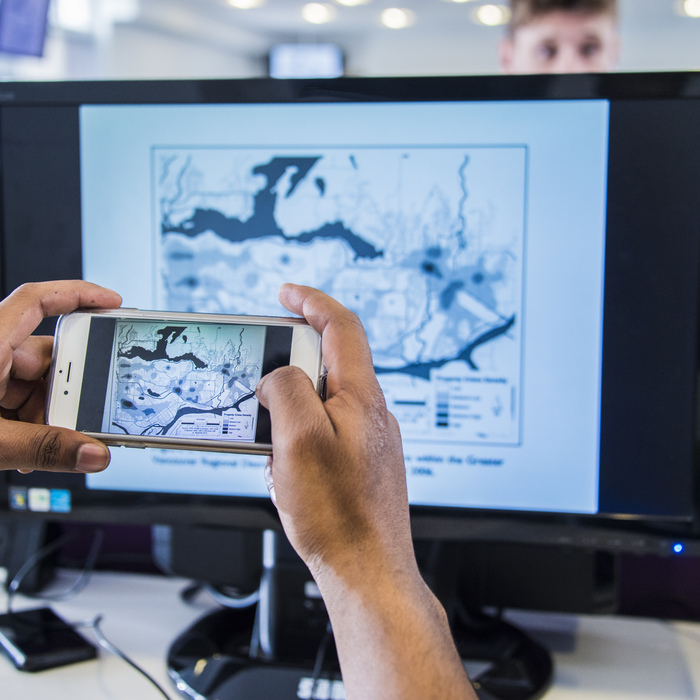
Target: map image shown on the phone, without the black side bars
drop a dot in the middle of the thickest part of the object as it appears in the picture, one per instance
(180, 380)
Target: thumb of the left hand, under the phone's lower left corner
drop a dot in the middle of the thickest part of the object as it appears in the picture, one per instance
(28, 446)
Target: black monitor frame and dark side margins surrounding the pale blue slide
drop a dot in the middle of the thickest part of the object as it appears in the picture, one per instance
(650, 345)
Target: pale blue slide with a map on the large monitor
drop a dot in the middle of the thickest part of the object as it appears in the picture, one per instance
(468, 236)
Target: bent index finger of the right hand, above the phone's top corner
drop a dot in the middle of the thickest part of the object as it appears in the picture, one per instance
(346, 352)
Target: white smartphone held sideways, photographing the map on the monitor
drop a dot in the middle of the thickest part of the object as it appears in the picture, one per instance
(180, 380)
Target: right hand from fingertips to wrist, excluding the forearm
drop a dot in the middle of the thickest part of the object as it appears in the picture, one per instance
(337, 466)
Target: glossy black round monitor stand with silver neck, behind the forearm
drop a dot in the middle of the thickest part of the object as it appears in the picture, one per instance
(281, 649)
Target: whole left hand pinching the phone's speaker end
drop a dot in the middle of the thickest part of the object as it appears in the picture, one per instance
(26, 444)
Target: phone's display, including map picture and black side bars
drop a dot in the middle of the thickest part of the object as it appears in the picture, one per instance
(145, 377)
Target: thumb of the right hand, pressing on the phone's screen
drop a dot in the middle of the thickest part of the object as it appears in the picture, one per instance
(296, 410)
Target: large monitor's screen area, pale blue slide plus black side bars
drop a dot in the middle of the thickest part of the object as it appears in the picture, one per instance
(523, 254)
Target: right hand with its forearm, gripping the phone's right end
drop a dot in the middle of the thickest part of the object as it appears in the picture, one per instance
(340, 487)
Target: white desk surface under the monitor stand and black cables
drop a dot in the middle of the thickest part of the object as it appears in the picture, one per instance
(596, 658)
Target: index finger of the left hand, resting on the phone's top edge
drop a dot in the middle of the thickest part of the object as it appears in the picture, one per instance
(23, 310)
